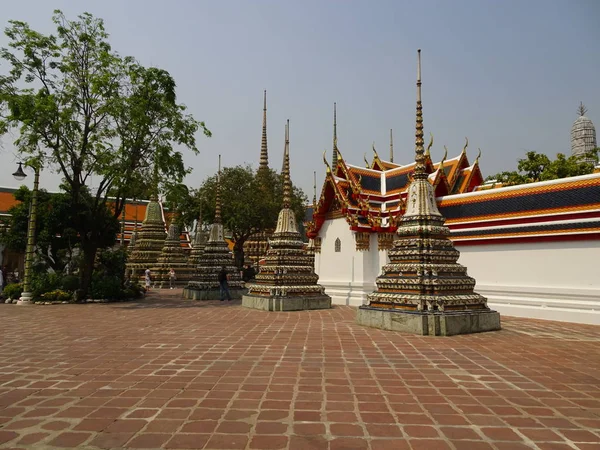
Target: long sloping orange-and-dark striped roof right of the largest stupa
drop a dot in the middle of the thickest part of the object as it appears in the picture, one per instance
(564, 209)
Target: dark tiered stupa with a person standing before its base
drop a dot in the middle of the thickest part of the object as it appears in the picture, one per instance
(205, 283)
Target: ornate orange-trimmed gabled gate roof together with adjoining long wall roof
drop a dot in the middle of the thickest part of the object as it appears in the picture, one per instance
(372, 199)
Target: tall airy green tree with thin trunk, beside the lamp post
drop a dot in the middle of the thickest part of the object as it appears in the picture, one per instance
(81, 108)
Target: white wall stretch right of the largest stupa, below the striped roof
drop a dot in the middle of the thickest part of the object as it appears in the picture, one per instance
(543, 280)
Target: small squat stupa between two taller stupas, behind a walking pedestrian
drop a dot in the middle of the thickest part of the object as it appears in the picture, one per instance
(172, 257)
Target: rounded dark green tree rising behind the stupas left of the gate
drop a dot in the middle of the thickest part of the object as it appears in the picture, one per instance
(250, 203)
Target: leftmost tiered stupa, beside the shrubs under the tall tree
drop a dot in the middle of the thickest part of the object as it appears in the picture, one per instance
(149, 242)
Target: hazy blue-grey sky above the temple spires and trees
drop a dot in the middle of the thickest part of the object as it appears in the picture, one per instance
(507, 74)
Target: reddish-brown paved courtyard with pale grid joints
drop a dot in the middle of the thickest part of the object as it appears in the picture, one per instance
(181, 375)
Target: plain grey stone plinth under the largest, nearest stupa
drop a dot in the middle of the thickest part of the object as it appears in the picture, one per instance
(429, 324)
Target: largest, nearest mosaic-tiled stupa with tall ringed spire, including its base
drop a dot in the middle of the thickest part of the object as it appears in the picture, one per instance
(423, 289)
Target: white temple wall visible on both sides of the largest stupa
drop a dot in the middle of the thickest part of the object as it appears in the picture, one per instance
(543, 280)
